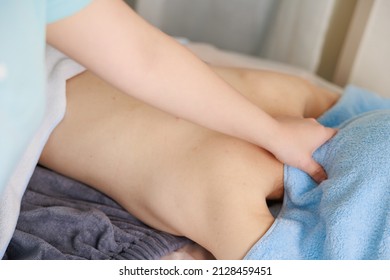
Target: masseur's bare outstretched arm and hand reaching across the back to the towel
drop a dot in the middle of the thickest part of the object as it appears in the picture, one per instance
(111, 40)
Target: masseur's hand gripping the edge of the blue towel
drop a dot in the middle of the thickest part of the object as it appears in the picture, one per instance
(297, 141)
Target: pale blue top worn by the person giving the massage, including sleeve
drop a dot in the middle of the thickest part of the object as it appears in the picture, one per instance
(22, 72)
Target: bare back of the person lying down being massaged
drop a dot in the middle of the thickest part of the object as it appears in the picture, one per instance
(172, 174)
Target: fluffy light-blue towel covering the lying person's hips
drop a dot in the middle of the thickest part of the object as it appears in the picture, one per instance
(348, 215)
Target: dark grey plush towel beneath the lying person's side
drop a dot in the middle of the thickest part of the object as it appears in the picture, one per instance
(63, 219)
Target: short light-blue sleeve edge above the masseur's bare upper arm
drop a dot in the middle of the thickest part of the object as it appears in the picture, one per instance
(58, 9)
